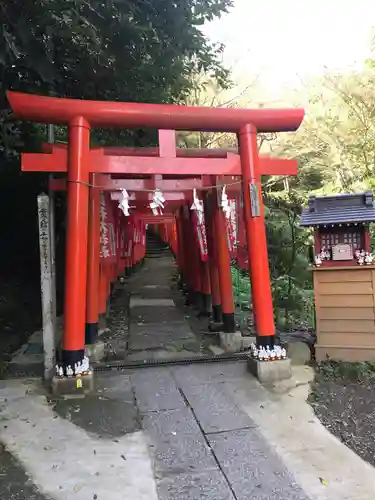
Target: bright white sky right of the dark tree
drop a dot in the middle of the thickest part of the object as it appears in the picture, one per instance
(282, 41)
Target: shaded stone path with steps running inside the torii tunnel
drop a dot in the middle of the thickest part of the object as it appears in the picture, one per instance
(156, 328)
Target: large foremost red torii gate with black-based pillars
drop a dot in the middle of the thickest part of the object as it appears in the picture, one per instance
(80, 162)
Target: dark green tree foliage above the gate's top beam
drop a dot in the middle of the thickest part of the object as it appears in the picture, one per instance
(128, 50)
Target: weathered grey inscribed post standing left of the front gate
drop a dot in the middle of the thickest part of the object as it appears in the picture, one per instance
(47, 286)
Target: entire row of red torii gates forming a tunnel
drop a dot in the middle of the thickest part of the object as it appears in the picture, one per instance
(90, 172)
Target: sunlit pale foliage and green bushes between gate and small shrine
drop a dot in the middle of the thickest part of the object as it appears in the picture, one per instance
(336, 154)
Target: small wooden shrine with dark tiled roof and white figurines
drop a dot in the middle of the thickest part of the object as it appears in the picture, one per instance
(344, 275)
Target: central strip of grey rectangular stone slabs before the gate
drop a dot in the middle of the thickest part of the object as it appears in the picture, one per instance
(203, 444)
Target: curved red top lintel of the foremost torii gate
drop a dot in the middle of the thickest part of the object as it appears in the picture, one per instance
(159, 116)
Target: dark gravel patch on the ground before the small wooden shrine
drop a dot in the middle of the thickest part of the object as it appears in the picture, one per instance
(343, 398)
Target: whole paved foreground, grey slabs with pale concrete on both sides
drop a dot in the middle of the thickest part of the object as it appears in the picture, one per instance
(179, 433)
